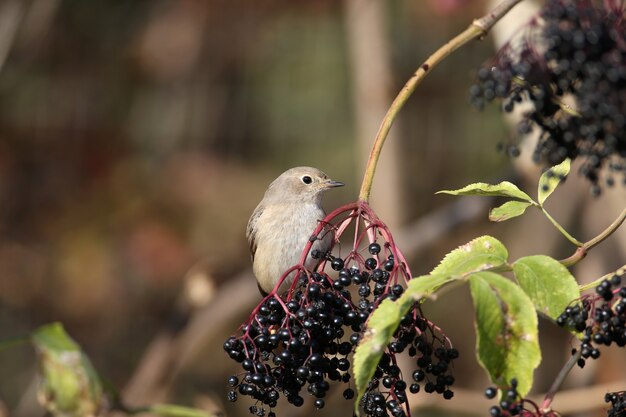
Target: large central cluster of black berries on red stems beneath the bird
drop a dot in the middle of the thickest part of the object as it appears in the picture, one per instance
(302, 340)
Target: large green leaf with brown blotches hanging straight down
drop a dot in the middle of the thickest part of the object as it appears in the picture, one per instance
(506, 330)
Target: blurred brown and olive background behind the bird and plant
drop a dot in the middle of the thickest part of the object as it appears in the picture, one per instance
(136, 137)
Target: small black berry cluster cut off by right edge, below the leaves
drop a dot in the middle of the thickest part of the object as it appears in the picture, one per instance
(601, 318)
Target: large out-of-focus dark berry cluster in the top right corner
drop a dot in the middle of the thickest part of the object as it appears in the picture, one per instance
(576, 51)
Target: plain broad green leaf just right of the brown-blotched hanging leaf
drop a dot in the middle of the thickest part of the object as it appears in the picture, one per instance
(550, 285)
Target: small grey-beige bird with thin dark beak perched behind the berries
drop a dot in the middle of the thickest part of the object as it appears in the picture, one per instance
(283, 222)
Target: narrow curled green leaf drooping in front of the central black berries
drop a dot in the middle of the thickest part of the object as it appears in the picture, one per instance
(383, 323)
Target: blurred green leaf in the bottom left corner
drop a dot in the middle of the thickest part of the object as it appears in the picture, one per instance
(70, 386)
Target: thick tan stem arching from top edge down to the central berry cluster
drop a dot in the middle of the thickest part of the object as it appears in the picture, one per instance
(478, 29)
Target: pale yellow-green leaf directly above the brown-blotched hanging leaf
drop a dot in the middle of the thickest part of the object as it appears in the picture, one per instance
(480, 254)
